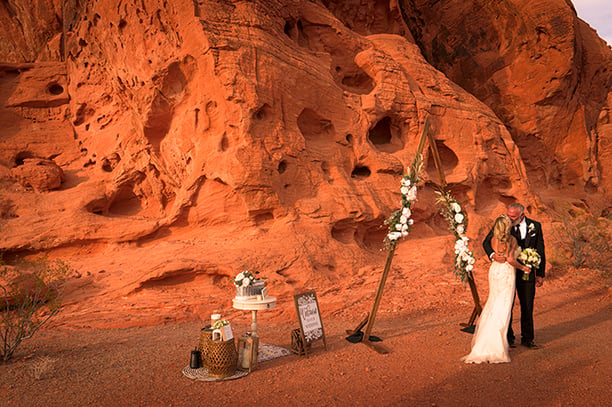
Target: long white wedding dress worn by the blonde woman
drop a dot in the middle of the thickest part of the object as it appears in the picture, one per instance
(490, 343)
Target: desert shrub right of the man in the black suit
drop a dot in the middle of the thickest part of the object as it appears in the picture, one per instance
(582, 239)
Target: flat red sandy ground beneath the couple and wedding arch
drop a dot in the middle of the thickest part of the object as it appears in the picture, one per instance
(142, 365)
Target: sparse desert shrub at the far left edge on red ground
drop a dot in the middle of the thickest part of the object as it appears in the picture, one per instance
(30, 295)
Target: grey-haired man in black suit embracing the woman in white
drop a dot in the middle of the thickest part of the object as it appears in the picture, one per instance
(528, 233)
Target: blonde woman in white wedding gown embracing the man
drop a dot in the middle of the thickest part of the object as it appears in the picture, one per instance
(490, 343)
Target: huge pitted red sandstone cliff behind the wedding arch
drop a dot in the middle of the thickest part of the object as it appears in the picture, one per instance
(158, 143)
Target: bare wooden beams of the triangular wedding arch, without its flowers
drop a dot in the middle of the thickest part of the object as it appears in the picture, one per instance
(371, 317)
